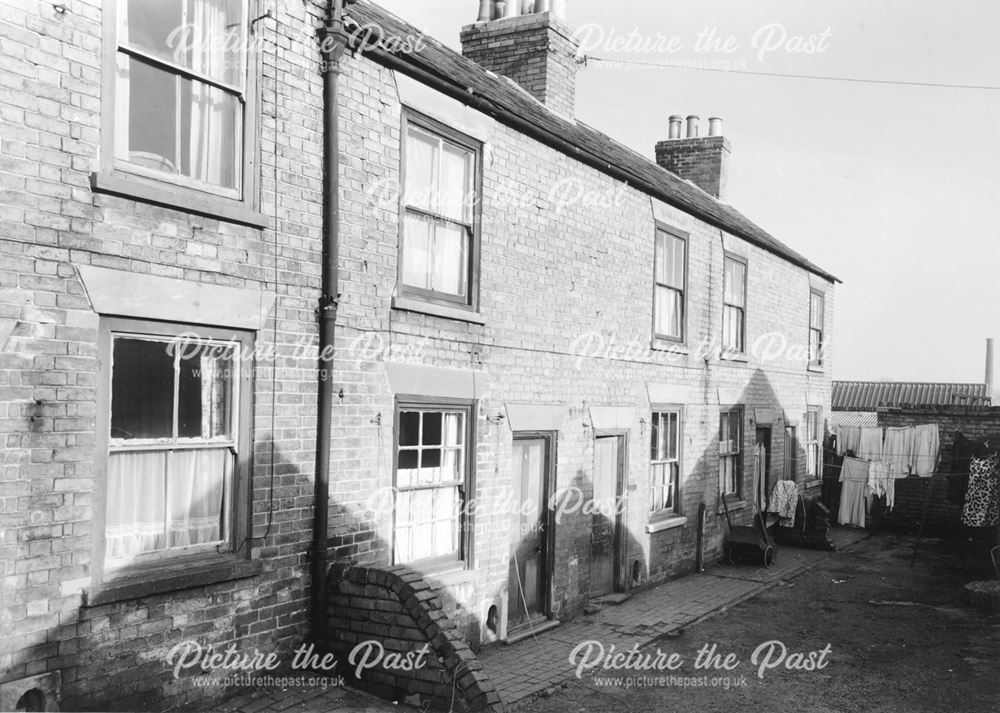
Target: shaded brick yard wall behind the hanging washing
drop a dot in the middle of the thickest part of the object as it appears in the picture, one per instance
(975, 422)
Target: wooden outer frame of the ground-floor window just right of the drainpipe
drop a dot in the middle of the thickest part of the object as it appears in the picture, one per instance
(464, 557)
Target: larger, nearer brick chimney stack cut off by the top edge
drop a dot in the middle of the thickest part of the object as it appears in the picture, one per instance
(529, 42)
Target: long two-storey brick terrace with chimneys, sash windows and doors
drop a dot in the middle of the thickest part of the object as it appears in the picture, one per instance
(532, 319)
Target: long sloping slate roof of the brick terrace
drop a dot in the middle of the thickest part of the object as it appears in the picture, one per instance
(471, 78)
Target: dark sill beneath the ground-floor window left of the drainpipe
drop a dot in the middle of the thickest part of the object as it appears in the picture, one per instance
(178, 577)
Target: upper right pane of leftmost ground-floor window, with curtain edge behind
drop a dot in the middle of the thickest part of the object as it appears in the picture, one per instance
(205, 393)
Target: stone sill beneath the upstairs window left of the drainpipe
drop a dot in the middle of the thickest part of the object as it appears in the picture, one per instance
(186, 200)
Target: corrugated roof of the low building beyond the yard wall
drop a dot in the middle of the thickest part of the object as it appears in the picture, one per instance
(872, 395)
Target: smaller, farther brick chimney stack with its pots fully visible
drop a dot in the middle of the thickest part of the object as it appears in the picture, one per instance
(704, 161)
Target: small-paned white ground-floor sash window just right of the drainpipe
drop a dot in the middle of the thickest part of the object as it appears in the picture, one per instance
(432, 480)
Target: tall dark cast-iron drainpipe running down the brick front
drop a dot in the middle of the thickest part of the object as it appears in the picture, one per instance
(332, 48)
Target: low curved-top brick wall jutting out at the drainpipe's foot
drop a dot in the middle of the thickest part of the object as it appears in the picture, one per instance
(397, 608)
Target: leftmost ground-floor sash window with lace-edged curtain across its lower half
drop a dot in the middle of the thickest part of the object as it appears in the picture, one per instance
(173, 415)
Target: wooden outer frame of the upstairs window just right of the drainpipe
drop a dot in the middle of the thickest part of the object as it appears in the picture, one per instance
(471, 302)
